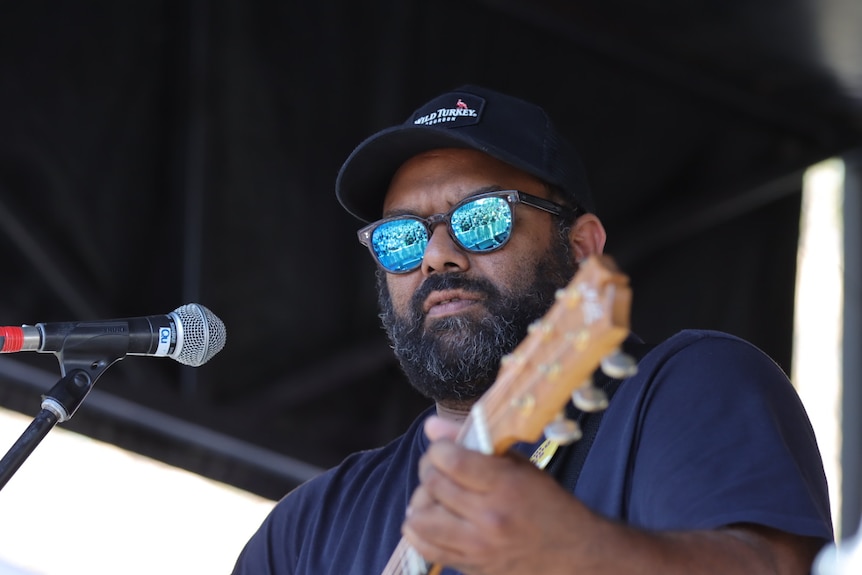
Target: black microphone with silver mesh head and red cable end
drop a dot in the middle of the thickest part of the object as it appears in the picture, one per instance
(191, 334)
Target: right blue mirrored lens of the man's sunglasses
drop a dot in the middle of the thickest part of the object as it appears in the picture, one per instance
(483, 224)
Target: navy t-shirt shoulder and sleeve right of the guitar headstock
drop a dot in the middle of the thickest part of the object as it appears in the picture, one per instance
(711, 432)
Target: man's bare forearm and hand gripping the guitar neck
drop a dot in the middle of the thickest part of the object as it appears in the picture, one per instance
(489, 515)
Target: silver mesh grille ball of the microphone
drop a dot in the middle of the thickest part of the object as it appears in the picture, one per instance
(203, 334)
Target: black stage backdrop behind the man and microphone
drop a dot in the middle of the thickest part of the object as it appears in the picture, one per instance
(158, 153)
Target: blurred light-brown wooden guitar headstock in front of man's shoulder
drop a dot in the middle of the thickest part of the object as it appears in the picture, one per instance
(588, 320)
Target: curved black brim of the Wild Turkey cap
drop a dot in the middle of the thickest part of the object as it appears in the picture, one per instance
(364, 177)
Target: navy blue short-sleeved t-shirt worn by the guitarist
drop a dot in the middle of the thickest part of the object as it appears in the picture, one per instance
(710, 432)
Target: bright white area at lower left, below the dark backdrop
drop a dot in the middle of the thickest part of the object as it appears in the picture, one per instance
(80, 506)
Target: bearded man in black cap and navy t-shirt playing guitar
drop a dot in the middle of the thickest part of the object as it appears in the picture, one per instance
(704, 461)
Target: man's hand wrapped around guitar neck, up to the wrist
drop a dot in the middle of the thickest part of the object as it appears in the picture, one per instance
(488, 515)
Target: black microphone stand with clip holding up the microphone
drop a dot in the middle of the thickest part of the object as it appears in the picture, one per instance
(80, 366)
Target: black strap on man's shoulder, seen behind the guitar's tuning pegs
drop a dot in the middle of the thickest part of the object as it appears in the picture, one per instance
(568, 461)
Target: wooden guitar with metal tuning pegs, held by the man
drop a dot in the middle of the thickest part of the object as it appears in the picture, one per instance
(583, 329)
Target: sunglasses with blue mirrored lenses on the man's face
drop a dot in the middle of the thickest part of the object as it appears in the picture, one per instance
(478, 224)
